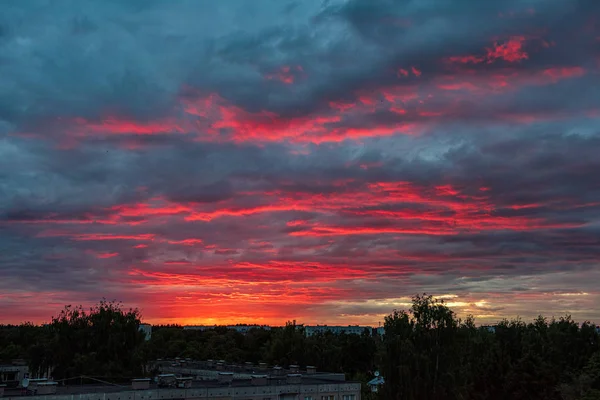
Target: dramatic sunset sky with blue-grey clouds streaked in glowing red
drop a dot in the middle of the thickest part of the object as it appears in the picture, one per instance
(269, 160)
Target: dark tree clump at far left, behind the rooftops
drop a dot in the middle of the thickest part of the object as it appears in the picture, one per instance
(103, 341)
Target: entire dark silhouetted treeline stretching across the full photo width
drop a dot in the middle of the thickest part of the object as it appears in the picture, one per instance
(426, 353)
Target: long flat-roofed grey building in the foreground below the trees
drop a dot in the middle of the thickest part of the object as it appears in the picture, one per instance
(195, 380)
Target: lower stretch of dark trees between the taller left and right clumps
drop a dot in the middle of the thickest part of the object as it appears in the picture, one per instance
(278, 346)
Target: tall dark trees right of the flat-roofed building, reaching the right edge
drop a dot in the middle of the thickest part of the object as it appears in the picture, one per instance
(431, 354)
